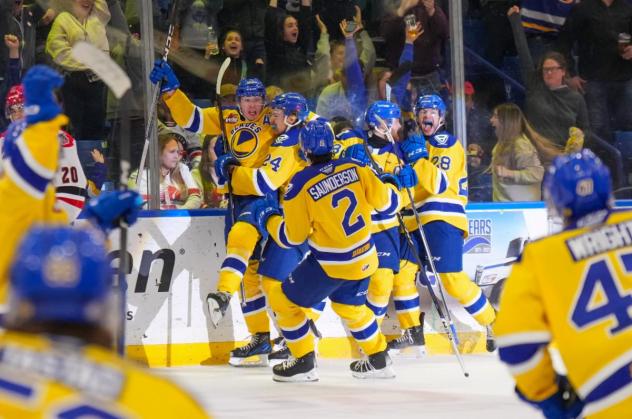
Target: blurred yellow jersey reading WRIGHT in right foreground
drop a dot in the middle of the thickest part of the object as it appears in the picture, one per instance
(583, 302)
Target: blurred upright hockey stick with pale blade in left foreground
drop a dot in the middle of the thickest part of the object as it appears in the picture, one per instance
(119, 83)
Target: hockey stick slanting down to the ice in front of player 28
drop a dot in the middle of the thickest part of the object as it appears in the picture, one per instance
(446, 318)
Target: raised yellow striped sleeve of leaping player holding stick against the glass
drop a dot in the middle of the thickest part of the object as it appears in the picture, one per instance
(192, 117)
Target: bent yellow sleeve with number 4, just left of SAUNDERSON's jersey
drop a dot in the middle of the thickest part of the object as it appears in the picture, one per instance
(278, 168)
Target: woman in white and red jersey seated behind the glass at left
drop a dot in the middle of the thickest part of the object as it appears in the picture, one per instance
(178, 190)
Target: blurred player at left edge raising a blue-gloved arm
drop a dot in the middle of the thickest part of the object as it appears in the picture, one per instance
(30, 156)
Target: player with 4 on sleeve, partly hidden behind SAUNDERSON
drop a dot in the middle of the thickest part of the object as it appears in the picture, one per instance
(289, 114)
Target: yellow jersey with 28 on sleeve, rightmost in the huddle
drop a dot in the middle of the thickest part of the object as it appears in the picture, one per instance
(441, 194)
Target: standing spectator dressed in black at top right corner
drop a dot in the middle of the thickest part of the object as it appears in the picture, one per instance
(605, 67)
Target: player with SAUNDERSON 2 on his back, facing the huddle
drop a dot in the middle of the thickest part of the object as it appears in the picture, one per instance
(329, 204)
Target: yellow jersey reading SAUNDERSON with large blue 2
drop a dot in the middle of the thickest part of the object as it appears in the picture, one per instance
(330, 205)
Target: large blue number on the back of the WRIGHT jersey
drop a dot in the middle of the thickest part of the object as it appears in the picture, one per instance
(602, 297)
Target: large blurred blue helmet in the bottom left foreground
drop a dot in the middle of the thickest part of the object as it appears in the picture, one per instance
(60, 274)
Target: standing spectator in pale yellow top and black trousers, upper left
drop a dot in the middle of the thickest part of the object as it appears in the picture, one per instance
(84, 94)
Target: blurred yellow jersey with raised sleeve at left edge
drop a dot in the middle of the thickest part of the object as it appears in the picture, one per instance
(29, 157)
